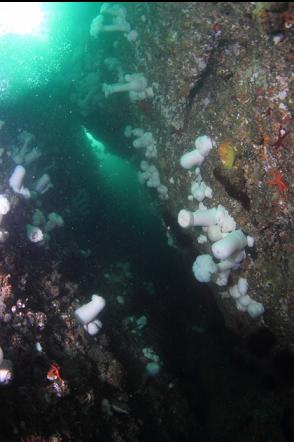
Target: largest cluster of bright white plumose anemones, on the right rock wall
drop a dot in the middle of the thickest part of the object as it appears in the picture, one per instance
(227, 243)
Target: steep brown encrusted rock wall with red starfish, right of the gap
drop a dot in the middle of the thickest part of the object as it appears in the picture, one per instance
(221, 69)
